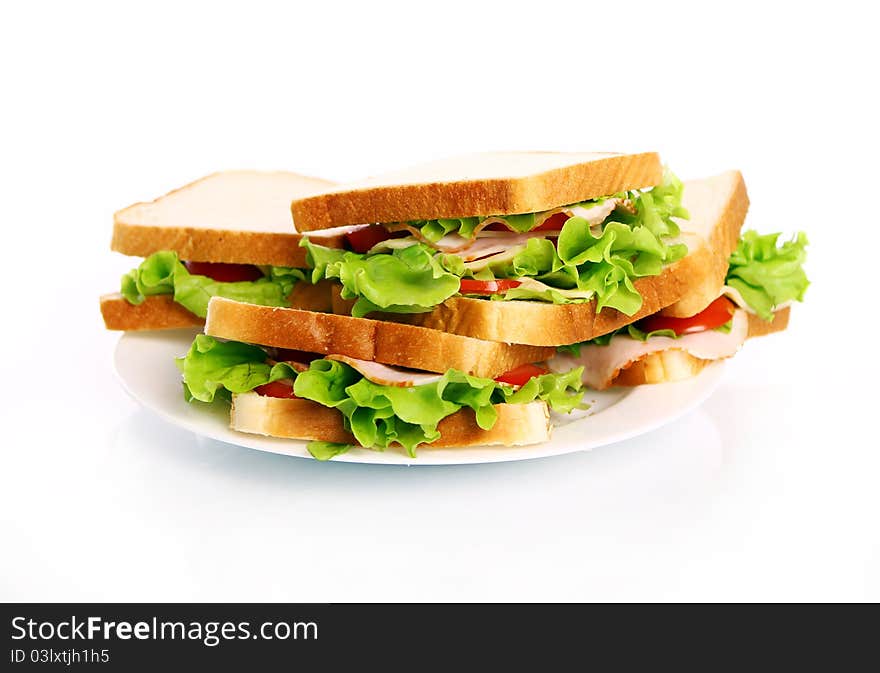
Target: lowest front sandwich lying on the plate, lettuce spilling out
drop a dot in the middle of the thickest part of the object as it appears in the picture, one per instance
(341, 381)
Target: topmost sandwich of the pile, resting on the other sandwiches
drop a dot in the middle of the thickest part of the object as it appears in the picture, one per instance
(545, 249)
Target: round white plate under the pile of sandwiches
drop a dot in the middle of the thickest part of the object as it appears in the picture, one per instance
(145, 364)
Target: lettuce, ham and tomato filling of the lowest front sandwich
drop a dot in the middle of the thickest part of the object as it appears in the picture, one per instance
(379, 405)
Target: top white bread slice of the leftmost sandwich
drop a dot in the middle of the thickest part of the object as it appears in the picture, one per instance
(238, 217)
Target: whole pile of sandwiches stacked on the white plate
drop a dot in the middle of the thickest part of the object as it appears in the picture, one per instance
(462, 302)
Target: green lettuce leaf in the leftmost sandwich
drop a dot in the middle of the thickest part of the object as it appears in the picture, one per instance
(163, 273)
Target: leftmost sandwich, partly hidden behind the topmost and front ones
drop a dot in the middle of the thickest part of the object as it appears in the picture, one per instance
(228, 234)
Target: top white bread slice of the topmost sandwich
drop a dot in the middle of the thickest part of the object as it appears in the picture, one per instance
(497, 183)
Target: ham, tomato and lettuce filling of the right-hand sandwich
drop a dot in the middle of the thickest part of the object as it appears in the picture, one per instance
(763, 277)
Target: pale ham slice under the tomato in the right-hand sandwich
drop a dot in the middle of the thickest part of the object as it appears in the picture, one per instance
(602, 363)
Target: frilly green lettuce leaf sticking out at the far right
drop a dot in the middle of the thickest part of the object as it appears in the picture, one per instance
(766, 273)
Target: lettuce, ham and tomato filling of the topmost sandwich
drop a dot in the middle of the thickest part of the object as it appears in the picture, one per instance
(593, 250)
